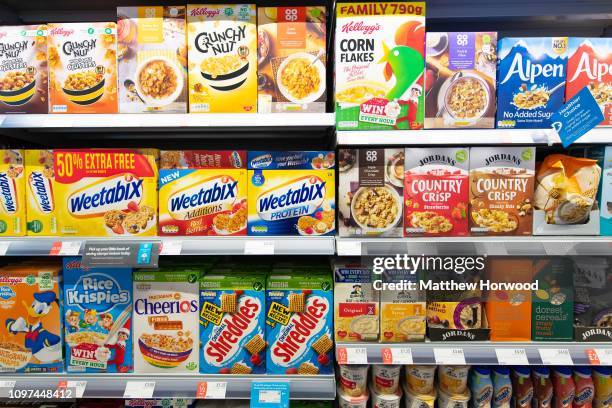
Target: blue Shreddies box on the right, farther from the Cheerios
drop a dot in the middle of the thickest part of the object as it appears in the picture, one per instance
(299, 319)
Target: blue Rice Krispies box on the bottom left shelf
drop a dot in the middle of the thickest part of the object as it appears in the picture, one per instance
(97, 318)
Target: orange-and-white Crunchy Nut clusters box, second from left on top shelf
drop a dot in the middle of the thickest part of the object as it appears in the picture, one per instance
(82, 60)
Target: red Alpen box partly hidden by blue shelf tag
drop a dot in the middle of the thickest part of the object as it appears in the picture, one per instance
(590, 65)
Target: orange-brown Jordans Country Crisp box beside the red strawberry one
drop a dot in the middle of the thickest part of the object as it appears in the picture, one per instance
(501, 190)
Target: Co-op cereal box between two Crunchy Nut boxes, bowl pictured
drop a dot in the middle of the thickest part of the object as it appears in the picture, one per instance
(152, 54)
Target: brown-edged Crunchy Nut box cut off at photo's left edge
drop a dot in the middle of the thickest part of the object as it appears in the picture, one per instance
(24, 85)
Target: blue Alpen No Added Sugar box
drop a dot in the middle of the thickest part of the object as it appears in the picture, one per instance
(530, 81)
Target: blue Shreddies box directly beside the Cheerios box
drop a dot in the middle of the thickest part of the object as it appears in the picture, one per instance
(232, 323)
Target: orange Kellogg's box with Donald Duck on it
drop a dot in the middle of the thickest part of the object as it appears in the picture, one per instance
(30, 313)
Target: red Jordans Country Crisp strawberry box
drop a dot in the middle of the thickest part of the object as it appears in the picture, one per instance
(436, 190)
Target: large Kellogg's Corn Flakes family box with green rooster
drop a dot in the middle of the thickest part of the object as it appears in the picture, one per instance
(380, 62)
